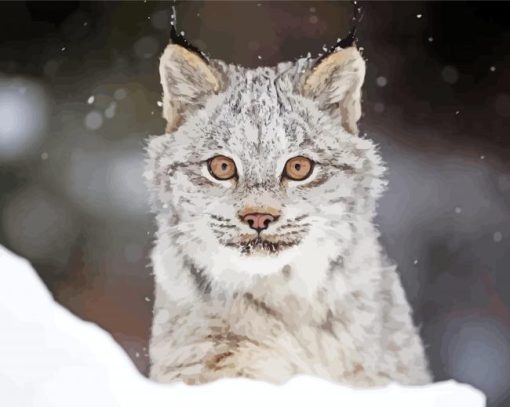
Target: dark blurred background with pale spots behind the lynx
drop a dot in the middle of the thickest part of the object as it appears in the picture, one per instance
(80, 93)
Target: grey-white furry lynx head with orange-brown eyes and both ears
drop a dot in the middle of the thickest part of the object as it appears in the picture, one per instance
(261, 168)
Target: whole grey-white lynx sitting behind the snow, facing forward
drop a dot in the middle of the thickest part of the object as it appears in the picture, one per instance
(267, 261)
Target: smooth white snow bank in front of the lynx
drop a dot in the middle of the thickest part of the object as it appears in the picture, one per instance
(49, 357)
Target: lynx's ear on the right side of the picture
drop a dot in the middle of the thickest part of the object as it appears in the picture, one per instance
(336, 83)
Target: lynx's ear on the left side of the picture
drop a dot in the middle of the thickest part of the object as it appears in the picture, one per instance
(187, 80)
